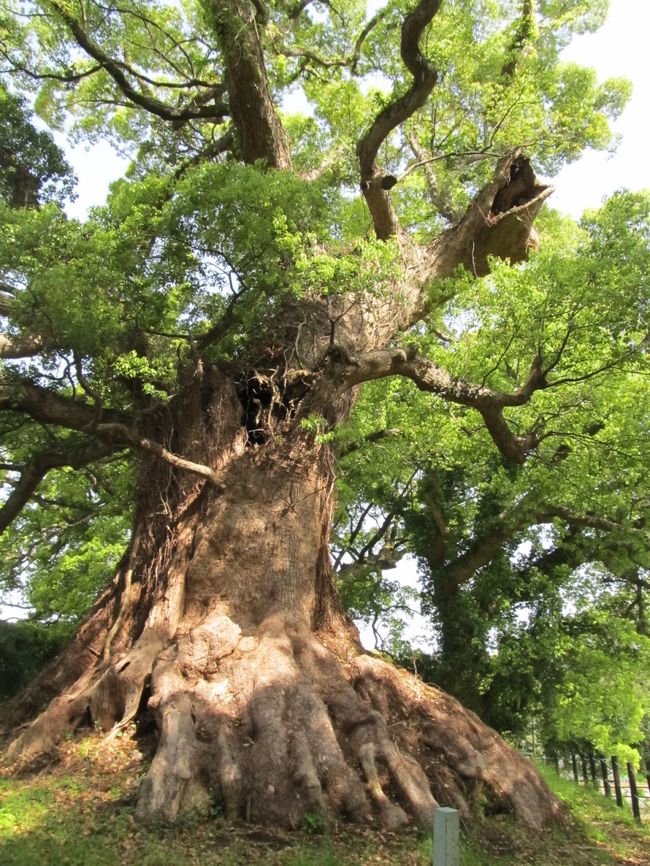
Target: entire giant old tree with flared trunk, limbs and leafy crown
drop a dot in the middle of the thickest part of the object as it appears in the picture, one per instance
(210, 328)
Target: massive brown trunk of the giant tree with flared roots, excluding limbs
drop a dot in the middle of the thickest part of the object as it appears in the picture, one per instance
(223, 625)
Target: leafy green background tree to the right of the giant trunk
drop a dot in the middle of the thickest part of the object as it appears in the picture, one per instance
(497, 546)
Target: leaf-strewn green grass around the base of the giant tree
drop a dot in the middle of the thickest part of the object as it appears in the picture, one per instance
(80, 813)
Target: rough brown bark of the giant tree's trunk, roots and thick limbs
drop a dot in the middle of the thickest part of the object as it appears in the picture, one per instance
(222, 621)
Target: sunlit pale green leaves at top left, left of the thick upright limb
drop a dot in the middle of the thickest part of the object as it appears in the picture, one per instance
(160, 48)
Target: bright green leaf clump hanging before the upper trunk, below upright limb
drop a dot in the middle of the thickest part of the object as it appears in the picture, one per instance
(260, 240)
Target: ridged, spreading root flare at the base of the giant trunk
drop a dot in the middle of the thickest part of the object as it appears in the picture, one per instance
(279, 726)
